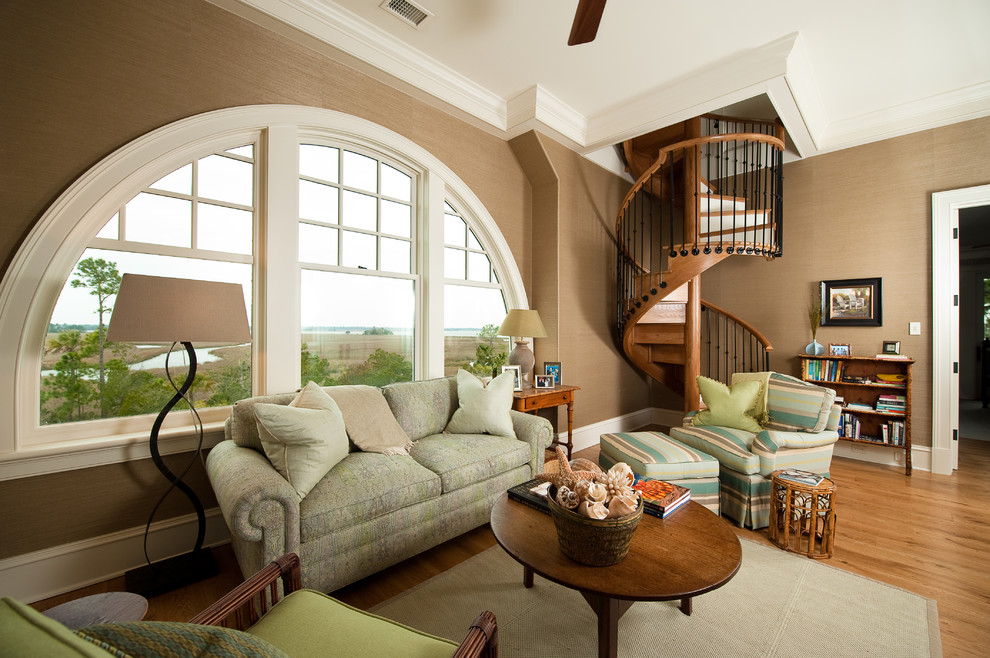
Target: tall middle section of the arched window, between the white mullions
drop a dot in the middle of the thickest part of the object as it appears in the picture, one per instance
(358, 297)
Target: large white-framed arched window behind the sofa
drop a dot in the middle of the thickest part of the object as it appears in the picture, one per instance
(334, 226)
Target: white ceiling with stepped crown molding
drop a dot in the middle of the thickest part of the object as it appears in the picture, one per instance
(838, 74)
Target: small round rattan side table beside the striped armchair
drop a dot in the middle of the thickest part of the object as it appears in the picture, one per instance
(802, 516)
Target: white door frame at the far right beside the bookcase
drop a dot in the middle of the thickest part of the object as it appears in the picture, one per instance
(945, 321)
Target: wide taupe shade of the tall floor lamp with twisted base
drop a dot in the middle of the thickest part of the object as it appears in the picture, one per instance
(155, 309)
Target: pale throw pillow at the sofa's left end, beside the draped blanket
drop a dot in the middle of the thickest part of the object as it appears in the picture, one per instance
(304, 440)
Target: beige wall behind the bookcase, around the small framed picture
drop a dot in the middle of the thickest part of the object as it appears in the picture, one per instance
(861, 212)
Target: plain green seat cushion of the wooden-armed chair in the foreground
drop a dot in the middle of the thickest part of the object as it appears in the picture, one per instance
(308, 623)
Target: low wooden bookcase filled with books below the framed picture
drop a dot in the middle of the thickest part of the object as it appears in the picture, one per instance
(875, 394)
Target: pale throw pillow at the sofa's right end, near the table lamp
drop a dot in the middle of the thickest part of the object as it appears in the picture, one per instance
(483, 409)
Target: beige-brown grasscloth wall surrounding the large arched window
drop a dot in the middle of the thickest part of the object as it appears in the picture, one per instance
(80, 80)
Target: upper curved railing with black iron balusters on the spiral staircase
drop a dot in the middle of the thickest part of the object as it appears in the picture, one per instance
(717, 193)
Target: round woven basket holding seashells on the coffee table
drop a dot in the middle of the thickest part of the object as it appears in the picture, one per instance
(597, 543)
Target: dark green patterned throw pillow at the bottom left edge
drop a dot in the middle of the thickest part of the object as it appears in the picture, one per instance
(179, 639)
